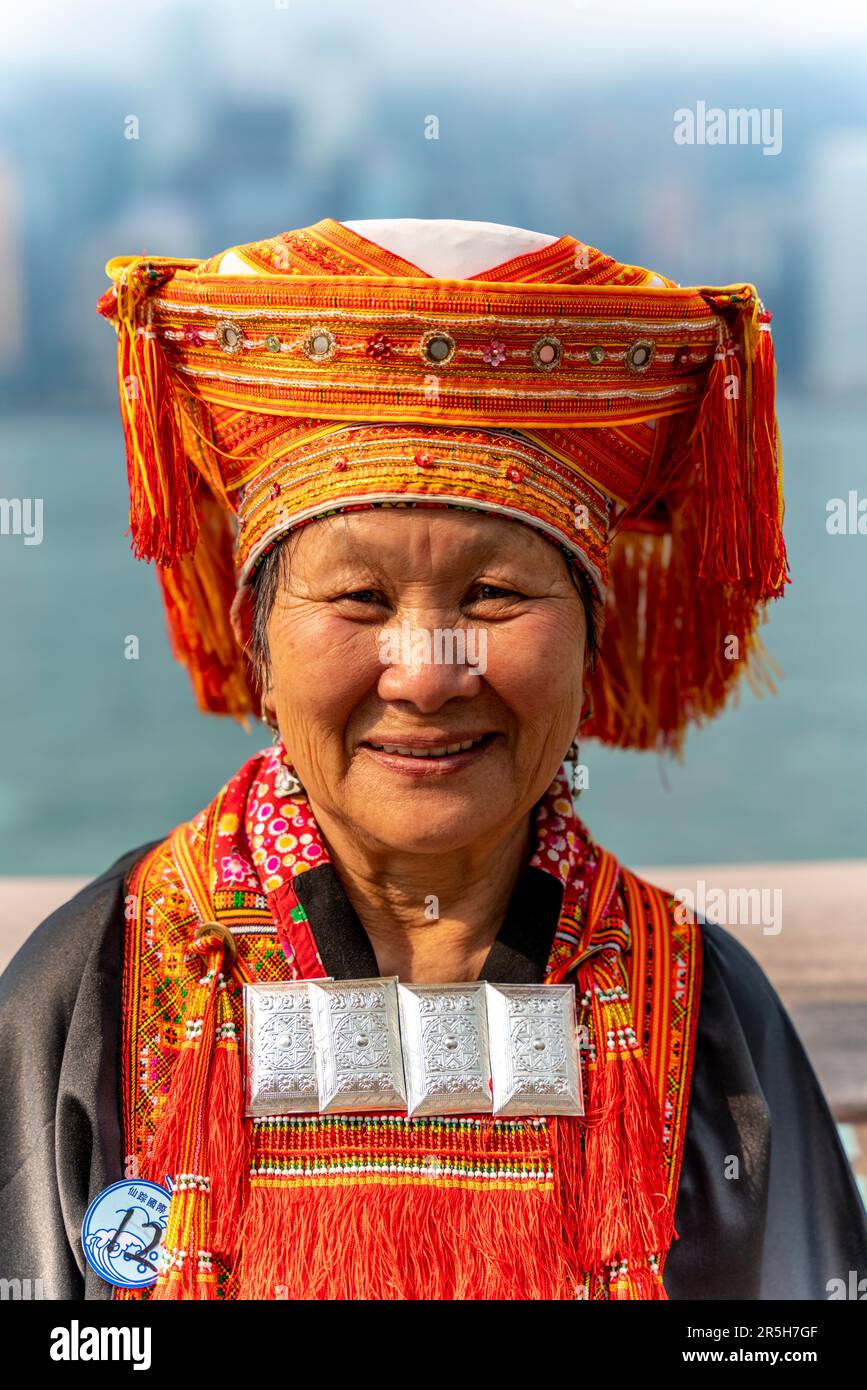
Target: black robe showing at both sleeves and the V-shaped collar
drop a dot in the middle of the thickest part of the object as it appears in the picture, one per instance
(788, 1225)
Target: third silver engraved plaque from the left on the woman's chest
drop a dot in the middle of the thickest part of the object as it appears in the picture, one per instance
(444, 1031)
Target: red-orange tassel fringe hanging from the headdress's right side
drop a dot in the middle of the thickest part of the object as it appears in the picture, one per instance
(697, 559)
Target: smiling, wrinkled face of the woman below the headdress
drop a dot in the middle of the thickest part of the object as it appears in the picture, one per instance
(372, 639)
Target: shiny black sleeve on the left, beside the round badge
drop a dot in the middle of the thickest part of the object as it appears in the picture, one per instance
(60, 1110)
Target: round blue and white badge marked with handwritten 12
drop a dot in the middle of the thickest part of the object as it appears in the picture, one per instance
(123, 1231)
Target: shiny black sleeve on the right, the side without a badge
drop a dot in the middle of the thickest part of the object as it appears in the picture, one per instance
(768, 1204)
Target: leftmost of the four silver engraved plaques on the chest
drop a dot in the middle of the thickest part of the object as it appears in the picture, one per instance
(281, 1077)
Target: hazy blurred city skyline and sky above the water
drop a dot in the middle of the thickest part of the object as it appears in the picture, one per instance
(227, 154)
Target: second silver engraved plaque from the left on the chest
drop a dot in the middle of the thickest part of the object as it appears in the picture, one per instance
(358, 1045)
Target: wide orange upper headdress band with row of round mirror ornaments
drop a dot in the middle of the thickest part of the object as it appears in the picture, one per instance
(380, 340)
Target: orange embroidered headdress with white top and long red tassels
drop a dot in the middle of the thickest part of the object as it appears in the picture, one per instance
(629, 419)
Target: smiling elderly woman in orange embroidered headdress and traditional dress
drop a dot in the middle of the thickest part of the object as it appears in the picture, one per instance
(436, 500)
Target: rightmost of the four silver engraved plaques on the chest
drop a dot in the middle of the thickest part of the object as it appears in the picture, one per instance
(534, 1050)
